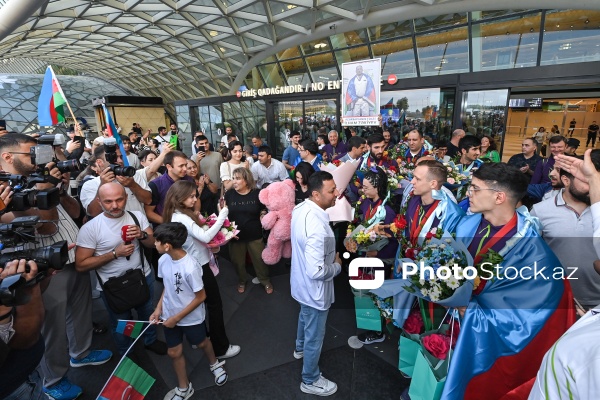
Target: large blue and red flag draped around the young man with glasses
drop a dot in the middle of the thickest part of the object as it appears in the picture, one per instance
(511, 324)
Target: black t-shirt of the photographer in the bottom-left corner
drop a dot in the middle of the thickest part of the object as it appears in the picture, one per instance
(18, 365)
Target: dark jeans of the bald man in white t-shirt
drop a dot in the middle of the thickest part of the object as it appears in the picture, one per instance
(143, 314)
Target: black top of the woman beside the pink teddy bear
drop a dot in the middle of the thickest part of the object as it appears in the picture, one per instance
(245, 210)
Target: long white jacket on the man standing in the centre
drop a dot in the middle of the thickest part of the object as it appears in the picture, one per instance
(313, 255)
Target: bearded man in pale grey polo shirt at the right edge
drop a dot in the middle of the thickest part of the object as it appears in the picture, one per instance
(567, 228)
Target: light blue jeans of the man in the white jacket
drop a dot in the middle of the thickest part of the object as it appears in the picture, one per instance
(309, 339)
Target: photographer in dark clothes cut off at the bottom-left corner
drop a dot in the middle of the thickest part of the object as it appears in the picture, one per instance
(21, 345)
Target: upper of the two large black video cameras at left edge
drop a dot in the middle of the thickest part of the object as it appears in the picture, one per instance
(25, 196)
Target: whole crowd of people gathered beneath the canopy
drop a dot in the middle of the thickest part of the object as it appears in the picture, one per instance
(151, 219)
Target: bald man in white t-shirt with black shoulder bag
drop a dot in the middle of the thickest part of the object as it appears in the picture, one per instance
(101, 248)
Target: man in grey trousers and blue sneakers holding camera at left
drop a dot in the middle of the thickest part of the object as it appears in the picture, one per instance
(68, 299)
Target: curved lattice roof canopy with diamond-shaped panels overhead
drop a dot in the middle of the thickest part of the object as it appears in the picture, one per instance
(192, 48)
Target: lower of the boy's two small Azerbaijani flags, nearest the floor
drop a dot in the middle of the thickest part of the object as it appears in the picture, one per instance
(128, 381)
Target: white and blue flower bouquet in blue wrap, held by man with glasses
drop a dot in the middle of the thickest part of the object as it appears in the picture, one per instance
(449, 287)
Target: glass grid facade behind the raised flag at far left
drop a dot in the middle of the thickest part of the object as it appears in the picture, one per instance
(19, 100)
